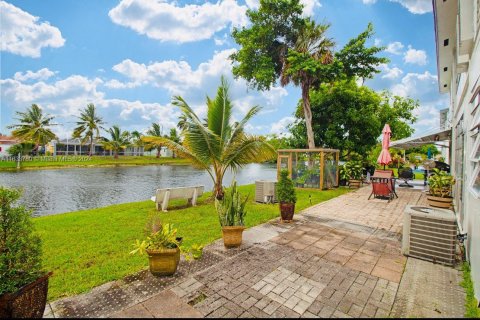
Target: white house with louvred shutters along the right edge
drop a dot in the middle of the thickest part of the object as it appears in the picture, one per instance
(457, 35)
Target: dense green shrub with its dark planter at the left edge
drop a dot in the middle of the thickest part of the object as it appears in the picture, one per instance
(23, 284)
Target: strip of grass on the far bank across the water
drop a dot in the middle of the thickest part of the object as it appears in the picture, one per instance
(75, 161)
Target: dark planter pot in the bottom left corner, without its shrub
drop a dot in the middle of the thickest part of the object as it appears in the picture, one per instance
(28, 302)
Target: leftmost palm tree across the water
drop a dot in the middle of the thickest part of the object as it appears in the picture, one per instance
(34, 127)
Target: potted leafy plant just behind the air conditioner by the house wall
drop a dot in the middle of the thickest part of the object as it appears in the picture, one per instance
(440, 189)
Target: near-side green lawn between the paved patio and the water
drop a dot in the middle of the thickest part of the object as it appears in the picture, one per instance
(87, 248)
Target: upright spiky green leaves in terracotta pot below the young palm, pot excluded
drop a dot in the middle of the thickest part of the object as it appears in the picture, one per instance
(231, 209)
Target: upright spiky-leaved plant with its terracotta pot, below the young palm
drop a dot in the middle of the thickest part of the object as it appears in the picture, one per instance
(231, 214)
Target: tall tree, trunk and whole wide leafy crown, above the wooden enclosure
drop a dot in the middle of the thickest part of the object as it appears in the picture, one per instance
(282, 44)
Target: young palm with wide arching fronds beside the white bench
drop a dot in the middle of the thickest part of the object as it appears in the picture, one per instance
(217, 144)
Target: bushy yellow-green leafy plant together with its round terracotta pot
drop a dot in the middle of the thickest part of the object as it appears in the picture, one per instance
(162, 247)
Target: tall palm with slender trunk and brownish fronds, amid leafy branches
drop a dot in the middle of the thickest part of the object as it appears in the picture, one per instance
(304, 65)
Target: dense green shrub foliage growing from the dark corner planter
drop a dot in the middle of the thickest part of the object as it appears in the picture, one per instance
(20, 248)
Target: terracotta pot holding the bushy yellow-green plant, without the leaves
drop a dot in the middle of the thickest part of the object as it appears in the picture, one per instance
(163, 262)
